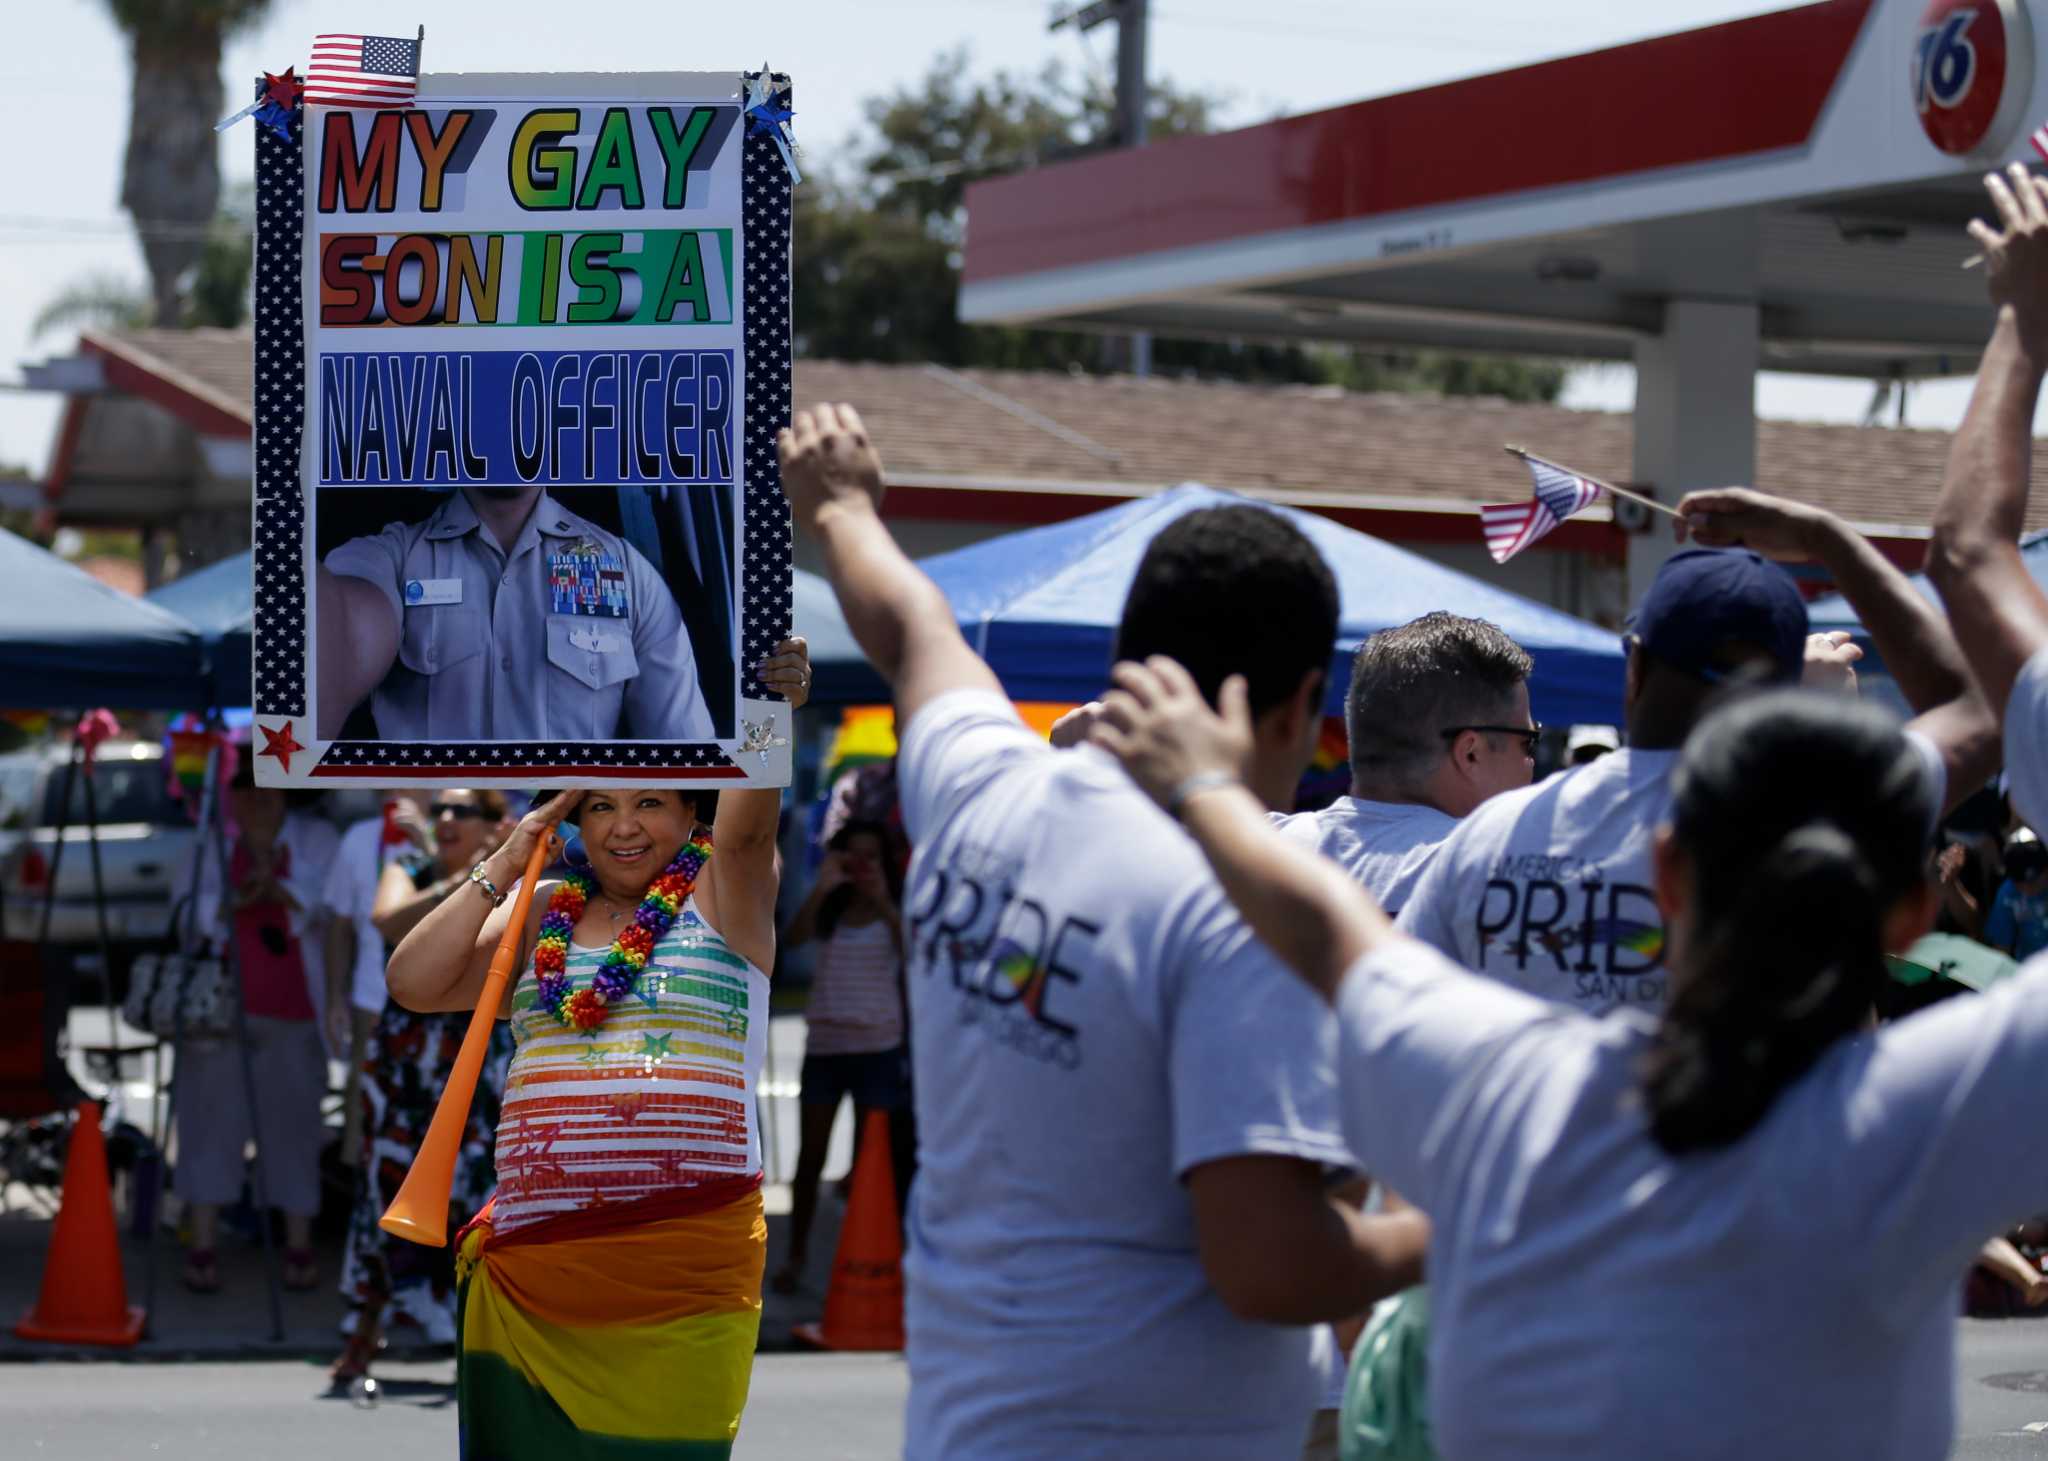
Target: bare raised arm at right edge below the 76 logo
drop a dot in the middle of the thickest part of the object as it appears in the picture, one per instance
(1996, 606)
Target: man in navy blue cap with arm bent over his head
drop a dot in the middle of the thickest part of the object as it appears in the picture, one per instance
(1551, 890)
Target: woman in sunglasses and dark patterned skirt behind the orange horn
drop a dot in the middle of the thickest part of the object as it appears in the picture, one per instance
(407, 1067)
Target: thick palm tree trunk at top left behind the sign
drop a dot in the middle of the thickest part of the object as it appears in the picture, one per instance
(171, 179)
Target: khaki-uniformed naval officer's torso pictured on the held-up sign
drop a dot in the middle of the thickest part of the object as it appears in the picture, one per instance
(505, 618)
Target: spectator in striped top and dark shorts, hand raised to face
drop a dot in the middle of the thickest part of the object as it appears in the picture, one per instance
(853, 1028)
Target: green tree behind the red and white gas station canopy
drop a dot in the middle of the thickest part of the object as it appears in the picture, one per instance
(878, 247)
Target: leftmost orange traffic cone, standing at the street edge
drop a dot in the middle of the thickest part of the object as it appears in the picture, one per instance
(85, 1296)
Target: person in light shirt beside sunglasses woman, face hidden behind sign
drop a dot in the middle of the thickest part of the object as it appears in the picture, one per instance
(355, 952)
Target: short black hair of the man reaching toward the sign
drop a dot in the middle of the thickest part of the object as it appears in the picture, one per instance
(1234, 591)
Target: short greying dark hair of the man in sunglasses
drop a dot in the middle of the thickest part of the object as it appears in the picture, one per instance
(1418, 679)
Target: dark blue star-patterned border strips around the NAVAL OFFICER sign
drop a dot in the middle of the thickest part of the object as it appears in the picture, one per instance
(282, 667)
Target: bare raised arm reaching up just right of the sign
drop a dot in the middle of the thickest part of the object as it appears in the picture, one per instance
(833, 478)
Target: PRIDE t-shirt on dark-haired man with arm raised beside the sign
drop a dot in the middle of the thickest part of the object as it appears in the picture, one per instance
(1091, 1019)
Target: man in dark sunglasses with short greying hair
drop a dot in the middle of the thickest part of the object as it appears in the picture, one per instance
(1439, 718)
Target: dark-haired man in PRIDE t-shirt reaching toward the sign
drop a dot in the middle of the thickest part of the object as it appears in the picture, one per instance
(1121, 1220)
